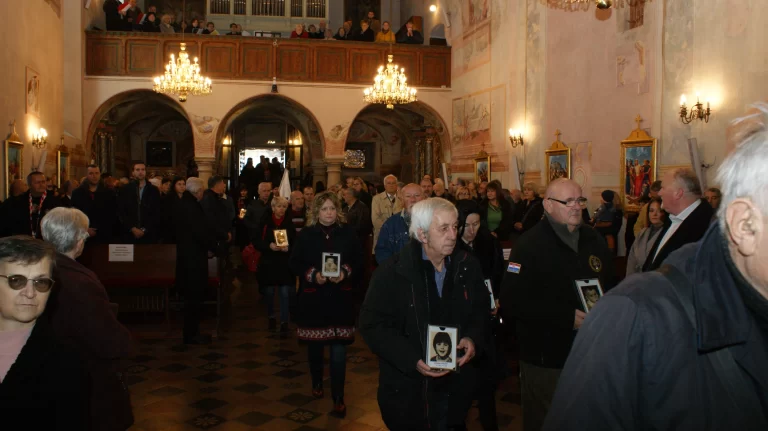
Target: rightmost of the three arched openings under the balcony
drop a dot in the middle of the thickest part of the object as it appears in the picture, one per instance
(409, 141)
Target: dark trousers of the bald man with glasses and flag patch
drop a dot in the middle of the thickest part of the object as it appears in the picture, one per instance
(537, 387)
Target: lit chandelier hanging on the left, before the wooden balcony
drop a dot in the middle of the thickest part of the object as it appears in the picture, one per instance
(182, 77)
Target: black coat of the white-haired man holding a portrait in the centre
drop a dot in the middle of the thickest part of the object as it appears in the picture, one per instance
(398, 306)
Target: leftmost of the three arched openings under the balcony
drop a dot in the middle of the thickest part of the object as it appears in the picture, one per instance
(141, 125)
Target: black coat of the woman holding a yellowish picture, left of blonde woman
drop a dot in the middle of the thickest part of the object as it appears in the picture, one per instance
(274, 267)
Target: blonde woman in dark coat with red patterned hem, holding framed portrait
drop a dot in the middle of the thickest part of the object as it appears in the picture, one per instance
(325, 311)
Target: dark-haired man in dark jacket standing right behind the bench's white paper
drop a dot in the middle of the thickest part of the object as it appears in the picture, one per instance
(138, 205)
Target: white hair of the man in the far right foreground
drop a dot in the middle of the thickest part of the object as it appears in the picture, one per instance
(744, 173)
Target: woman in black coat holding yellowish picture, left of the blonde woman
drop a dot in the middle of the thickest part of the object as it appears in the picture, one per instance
(274, 277)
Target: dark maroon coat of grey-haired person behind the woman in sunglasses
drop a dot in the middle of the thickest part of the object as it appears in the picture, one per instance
(80, 313)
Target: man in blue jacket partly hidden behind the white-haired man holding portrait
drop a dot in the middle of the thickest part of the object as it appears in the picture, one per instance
(393, 235)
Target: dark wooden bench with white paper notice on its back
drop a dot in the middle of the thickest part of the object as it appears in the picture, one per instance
(153, 269)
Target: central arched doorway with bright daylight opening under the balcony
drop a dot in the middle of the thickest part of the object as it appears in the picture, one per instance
(275, 127)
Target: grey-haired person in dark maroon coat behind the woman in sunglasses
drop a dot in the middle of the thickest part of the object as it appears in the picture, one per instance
(80, 312)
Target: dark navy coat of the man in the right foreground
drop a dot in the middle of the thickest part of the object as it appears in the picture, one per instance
(639, 363)
